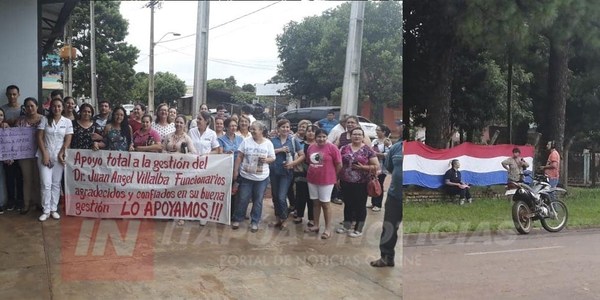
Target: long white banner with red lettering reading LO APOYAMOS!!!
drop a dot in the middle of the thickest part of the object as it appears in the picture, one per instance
(112, 184)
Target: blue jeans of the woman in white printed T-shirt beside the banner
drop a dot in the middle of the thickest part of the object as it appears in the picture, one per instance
(250, 190)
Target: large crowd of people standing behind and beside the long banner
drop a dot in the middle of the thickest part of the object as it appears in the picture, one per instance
(305, 169)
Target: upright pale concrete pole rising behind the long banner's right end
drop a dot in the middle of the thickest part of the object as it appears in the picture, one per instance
(200, 65)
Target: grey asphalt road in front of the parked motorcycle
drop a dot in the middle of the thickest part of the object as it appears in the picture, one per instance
(505, 265)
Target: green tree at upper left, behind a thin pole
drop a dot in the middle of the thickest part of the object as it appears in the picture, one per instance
(114, 57)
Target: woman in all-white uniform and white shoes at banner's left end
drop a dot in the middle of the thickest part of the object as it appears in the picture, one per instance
(53, 137)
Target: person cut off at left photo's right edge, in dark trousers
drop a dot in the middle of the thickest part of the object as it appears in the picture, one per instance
(393, 204)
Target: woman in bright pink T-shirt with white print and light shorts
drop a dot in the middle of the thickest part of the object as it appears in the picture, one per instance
(324, 162)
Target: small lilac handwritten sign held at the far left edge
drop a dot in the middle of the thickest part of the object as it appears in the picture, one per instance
(17, 143)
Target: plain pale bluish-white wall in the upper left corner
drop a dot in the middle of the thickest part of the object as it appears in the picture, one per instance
(19, 47)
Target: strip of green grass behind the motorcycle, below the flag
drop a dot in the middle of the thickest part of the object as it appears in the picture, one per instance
(494, 214)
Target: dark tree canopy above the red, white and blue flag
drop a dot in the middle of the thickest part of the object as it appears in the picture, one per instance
(529, 45)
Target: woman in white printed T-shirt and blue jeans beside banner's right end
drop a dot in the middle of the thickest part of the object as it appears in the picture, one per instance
(252, 165)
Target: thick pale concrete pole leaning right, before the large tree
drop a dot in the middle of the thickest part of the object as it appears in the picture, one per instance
(353, 53)
